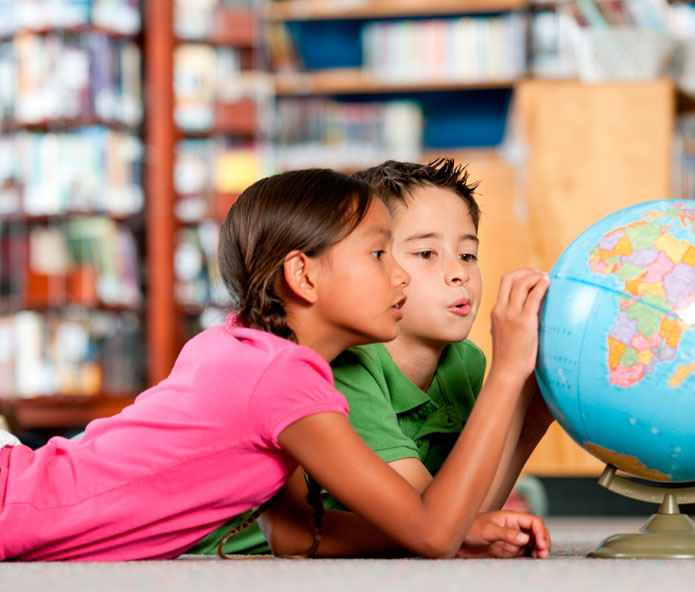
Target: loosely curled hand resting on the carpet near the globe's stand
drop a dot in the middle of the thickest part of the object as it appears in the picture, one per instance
(504, 535)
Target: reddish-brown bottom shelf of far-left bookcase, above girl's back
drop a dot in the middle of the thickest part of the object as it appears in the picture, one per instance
(56, 412)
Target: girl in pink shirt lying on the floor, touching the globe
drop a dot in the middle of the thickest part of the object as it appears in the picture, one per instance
(306, 256)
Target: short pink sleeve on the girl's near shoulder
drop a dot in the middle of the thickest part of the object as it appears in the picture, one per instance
(295, 385)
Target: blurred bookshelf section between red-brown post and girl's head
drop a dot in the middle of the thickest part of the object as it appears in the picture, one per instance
(223, 104)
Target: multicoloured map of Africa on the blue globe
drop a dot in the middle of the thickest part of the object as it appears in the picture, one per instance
(656, 271)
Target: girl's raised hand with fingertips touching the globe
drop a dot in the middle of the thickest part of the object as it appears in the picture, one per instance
(514, 322)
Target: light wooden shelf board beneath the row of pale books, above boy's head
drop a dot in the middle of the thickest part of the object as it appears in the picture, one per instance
(345, 81)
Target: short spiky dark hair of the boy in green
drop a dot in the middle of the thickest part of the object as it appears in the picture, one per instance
(394, 181)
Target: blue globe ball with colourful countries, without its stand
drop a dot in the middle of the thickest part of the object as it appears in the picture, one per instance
(616, 360)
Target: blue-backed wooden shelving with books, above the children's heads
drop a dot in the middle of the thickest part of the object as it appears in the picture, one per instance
(455, 62)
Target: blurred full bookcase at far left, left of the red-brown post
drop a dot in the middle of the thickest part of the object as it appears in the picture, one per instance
(72, 206)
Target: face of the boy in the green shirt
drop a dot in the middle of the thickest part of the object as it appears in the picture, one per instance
(435, 241)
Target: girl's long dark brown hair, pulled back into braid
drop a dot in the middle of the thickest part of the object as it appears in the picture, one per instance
(306, 210)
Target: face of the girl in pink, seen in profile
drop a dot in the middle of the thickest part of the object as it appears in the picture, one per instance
(360, 283)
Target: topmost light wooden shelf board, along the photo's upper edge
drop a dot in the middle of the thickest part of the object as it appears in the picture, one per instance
(301, 10)
